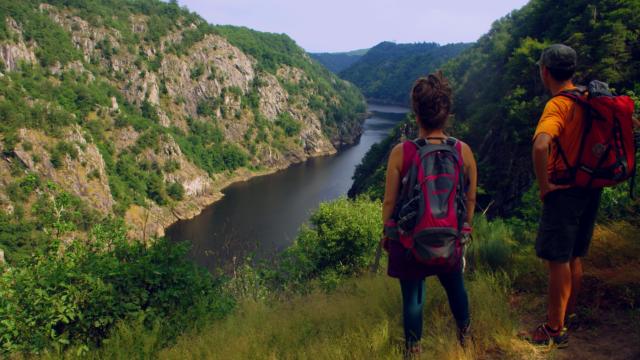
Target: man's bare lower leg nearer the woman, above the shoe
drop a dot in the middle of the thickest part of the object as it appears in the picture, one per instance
(559, 292)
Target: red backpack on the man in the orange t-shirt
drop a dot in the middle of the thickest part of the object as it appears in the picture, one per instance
(607, 149)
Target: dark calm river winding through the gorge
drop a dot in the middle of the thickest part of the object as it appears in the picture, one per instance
(261, 216)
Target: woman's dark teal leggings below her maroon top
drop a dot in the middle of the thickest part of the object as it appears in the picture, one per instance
(413, 300)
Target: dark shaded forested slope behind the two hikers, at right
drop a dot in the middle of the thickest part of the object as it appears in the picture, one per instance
(498, 94)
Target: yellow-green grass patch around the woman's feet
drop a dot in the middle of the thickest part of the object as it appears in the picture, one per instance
(360, 320)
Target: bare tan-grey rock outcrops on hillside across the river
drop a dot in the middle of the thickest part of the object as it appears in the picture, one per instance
(209, 73)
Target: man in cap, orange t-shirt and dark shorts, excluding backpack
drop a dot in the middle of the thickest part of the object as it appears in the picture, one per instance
(569, 213)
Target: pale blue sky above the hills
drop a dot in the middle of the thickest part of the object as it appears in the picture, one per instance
(344, 25)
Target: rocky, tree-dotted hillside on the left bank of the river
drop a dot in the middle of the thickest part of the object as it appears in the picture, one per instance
(143, 110)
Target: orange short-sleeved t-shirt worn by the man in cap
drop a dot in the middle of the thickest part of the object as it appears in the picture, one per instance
(562, 120)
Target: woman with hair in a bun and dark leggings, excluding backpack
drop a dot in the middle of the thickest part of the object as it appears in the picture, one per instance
(431, 103)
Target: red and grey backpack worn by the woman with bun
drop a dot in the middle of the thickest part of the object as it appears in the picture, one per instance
(431, 207)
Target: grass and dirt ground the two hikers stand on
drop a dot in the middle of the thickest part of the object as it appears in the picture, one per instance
(361, 318)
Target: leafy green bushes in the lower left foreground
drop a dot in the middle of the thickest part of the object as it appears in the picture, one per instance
(76, 296)
